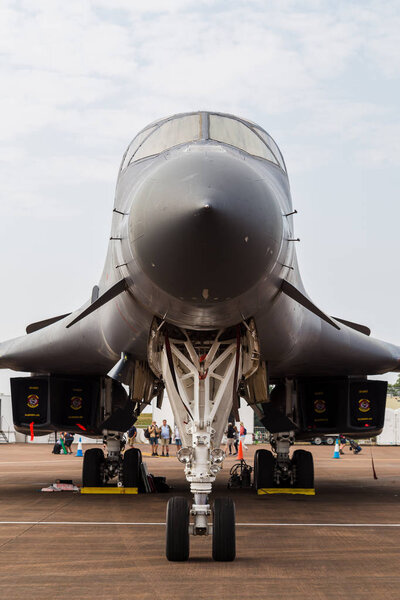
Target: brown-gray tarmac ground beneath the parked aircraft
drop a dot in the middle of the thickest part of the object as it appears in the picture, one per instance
(344, 542)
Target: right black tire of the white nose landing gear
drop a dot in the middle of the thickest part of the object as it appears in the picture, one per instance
(224, 534)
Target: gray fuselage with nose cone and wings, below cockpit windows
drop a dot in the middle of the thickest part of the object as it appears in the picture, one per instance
(202, 236)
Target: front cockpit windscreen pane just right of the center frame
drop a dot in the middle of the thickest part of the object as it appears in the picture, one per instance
(233, 132)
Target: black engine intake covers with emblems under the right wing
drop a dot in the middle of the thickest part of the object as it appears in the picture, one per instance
(342, 406)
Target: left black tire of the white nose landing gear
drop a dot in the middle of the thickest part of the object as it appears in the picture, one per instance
(177, 538)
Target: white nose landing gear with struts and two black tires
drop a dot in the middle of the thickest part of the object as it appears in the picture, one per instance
(201, 371)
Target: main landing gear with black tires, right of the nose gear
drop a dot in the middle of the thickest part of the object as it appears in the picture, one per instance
(273, 470)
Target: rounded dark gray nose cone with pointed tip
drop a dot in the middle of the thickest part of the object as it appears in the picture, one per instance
(205, 229)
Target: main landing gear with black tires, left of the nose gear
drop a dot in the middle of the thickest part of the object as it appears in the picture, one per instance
(98, 468)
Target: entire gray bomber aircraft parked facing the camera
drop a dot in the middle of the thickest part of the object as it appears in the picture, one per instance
(201, 295)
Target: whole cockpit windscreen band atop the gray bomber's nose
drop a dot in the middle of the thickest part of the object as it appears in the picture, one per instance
(192, 127)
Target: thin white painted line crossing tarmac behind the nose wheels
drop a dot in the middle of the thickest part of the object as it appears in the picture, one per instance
(135, 524)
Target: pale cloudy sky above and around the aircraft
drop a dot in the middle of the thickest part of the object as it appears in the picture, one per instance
(80, 78)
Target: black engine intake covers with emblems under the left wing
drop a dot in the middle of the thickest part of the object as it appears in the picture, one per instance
(69, 403)
